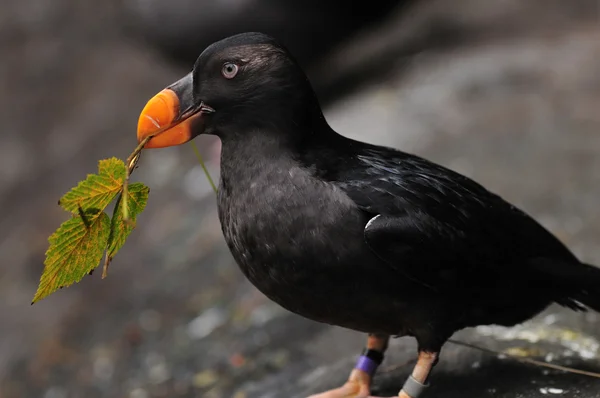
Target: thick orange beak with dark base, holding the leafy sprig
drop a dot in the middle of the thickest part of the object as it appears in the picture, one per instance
(171, 117)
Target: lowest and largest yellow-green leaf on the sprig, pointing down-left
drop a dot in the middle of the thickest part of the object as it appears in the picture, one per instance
(75, 250)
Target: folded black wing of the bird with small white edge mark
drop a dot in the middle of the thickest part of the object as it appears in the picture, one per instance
(439, 227)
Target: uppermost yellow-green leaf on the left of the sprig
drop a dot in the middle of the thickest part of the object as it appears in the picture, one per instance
(97, 190)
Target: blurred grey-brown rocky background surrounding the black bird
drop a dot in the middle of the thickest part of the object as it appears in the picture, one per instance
(504, 91)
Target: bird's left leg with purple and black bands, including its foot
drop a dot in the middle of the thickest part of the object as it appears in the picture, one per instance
(359, 382)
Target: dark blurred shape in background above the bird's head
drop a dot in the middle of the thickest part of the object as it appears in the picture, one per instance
(181, 28)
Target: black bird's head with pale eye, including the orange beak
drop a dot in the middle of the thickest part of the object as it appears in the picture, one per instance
(246, 81)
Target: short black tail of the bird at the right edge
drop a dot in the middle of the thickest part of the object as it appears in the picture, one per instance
(578, 283)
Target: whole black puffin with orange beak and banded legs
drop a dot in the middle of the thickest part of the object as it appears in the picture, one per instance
(357, 235)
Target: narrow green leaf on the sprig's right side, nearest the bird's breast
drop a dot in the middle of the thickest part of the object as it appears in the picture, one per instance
(137, 197)
